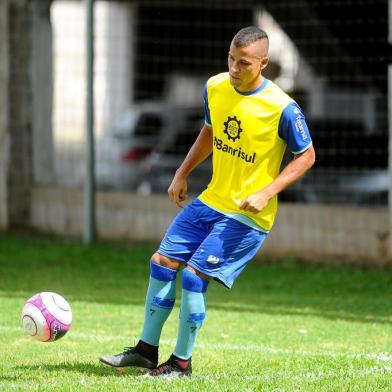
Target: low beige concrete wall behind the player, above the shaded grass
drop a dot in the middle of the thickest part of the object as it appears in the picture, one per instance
(355, 234)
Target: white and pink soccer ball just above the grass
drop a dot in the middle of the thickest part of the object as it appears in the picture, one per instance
(46, 316)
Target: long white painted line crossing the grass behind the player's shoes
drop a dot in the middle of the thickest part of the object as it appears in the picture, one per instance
(255, 348)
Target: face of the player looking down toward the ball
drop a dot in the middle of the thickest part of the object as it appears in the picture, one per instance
(246, 63)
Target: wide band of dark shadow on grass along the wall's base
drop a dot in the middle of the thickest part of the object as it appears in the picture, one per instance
(112, 274)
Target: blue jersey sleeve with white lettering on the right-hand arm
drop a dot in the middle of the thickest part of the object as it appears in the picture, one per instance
(293, 129)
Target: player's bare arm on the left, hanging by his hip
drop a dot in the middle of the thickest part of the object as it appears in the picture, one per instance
(200, 150)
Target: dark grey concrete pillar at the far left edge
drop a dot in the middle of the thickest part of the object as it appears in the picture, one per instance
(15, 112)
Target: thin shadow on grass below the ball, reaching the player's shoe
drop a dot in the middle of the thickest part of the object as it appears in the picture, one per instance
(83, 368)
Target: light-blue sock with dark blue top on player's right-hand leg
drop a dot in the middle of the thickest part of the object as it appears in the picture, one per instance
(192, 313)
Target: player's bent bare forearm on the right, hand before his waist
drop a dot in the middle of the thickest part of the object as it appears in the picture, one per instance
(291, 173)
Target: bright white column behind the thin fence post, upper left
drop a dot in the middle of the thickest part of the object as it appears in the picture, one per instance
(113, 65)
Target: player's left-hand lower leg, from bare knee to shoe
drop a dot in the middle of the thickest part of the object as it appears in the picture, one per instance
(160, 300)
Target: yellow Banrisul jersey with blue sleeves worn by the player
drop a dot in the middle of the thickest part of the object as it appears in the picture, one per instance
(250, 133)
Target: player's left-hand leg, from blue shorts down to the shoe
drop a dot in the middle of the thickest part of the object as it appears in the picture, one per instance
(185, 234)
